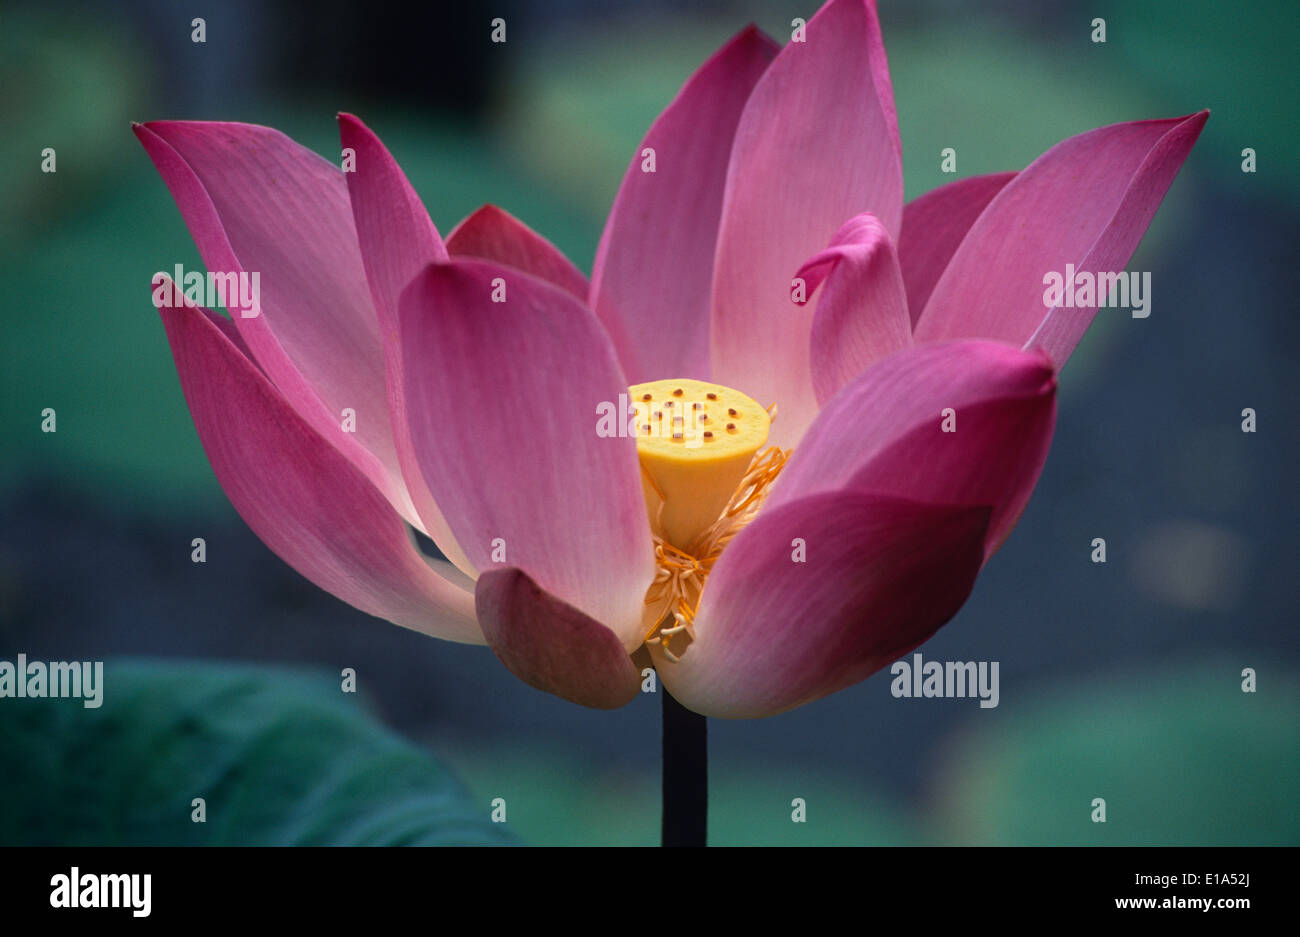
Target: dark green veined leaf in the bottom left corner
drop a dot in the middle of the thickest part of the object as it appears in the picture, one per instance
(279, 757)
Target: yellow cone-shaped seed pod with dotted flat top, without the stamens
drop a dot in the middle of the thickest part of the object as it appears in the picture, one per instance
(696, 443)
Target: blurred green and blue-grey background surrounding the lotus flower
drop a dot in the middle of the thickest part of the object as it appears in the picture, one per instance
(1119, 682)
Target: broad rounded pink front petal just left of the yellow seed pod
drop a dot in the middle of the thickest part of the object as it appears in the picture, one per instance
(505, 413)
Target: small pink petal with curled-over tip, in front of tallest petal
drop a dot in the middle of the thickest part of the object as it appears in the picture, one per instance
(863, 314)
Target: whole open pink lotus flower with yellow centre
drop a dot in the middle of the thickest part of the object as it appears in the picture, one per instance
(766, 267)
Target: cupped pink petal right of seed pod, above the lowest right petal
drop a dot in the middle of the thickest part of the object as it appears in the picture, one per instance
(887, 432)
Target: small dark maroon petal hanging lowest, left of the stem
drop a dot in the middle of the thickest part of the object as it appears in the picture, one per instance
(553, 647)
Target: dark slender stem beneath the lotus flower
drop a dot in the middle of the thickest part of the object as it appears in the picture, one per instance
(686, 775)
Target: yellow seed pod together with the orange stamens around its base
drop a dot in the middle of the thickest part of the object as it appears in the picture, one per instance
(704, 480)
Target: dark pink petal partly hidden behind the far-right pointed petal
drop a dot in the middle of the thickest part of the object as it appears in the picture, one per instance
(933, 228)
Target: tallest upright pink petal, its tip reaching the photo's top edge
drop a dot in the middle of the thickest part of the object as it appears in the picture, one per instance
(818, 142)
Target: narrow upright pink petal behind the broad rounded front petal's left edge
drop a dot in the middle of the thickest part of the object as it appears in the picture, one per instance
(397, 241)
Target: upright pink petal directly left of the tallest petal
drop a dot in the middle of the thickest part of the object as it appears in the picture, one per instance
(655, 267)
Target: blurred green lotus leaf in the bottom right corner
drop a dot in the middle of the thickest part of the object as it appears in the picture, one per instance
(1181, 756)
